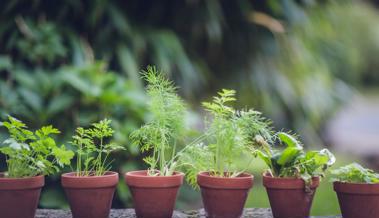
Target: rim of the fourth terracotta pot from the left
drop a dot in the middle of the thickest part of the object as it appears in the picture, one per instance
(244, 181)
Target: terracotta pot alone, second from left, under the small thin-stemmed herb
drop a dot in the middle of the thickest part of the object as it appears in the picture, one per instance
(90, 196)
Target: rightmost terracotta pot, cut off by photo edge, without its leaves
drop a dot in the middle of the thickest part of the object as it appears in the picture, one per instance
(358, 200)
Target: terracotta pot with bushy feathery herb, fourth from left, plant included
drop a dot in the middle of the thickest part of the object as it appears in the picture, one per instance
(229, 135)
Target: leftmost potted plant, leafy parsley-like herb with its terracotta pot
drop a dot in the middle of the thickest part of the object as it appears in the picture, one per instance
(29, 157)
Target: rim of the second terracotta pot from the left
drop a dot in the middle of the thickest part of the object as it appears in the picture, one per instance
(69, 180)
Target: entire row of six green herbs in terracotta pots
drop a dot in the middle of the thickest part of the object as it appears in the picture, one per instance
(211, 162)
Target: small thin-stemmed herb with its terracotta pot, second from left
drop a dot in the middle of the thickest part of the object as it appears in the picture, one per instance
(91, 187)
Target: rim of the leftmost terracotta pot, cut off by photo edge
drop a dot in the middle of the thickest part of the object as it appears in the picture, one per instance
(31, 182)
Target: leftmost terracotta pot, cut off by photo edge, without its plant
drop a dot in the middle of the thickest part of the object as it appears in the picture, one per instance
(19, 196)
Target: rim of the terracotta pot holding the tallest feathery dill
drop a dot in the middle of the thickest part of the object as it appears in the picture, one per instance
(139, 178)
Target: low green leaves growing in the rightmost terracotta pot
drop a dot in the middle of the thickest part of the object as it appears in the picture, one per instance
(355, 173)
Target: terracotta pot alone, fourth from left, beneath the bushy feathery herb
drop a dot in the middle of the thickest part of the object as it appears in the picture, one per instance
(224, 197)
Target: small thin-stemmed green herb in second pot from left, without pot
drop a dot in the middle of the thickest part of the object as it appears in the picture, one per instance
(92, 150)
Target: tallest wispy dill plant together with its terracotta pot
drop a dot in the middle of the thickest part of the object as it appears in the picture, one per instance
(154, 190)
